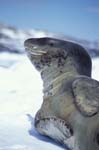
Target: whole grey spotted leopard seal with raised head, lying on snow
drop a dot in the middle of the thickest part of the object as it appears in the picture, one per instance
(70, 110)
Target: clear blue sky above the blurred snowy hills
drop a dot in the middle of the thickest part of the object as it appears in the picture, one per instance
(77, 18)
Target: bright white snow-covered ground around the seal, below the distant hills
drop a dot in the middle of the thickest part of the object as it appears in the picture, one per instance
(20, 98)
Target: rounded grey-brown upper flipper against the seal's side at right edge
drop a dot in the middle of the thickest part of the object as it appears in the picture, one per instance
(86, 95)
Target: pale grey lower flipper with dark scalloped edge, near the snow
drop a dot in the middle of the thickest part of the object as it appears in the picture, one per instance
(56, 129)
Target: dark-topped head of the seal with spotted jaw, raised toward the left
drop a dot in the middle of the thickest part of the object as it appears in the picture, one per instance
(42, 51)
